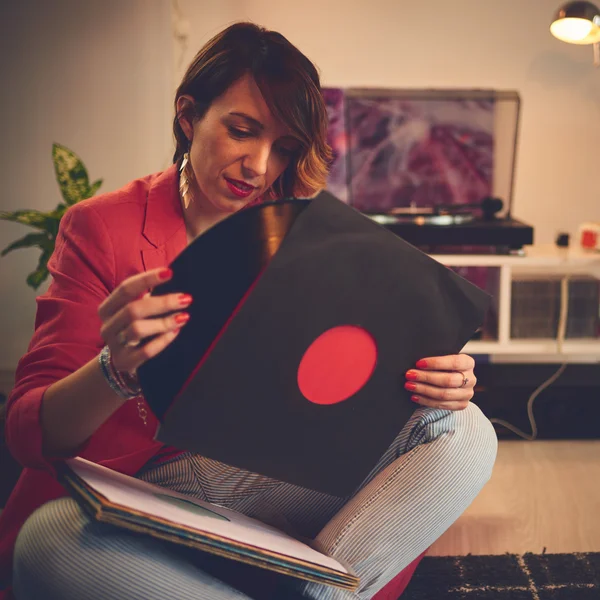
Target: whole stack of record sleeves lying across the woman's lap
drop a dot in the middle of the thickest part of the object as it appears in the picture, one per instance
(124, 501)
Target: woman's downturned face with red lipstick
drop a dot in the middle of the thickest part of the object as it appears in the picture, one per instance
(238, 149)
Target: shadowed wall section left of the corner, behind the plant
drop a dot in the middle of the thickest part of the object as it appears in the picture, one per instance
(95, 76)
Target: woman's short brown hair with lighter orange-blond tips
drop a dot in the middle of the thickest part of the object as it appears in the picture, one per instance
(290, 85)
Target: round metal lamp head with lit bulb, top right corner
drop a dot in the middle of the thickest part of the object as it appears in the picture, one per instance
(577, 23)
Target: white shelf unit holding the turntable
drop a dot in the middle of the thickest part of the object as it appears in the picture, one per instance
(539, 261)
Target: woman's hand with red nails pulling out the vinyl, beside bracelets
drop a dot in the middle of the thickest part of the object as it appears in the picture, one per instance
(130, 314)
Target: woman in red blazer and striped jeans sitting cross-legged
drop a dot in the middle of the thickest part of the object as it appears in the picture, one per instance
(250, 124)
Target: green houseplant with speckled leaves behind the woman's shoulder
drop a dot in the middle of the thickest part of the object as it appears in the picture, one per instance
(74, 184)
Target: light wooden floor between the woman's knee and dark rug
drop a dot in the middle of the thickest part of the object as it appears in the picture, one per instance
(543, 494)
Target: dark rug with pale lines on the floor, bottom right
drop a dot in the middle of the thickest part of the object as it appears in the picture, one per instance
(507, 577)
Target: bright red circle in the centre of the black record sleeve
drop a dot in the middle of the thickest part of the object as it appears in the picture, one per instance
(337, 364)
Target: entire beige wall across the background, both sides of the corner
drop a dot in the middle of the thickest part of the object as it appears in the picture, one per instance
(96, 75)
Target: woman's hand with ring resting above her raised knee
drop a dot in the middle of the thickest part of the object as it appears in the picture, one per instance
(442, 381)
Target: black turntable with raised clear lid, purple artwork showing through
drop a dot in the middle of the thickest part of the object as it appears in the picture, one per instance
(436, 167)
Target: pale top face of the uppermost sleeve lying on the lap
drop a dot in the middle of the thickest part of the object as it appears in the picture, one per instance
(131, 493)
